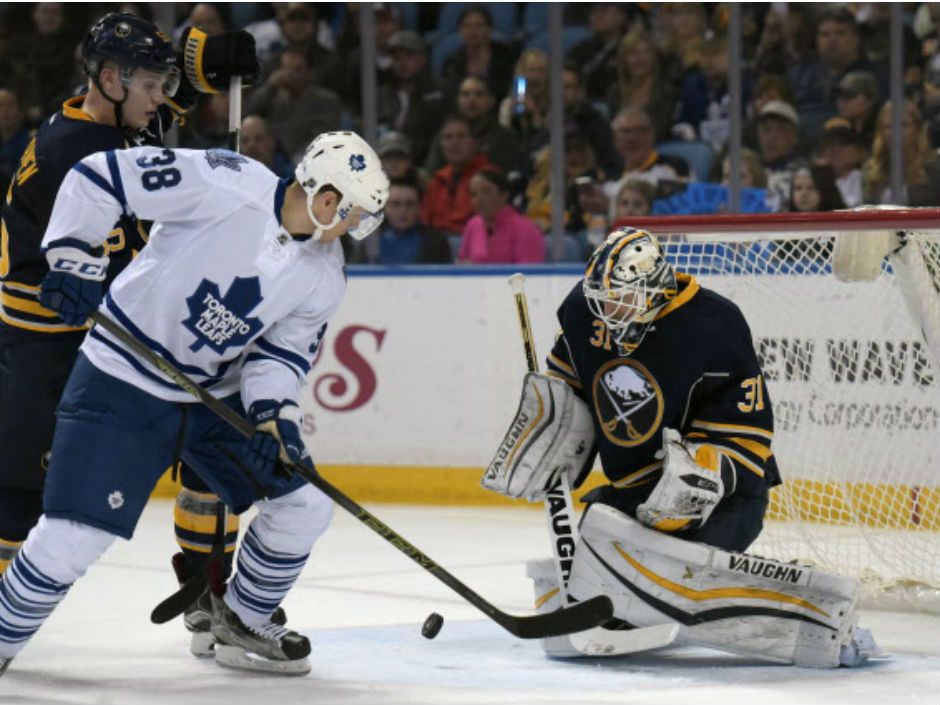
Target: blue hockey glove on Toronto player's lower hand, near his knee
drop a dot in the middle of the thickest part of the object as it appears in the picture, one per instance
(276, 437)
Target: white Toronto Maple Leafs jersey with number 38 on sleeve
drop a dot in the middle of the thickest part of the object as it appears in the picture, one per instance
(221, 290)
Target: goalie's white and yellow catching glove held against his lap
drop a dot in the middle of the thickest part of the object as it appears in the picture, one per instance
(695, 478)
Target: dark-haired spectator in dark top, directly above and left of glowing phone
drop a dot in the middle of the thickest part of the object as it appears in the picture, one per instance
(479, 56)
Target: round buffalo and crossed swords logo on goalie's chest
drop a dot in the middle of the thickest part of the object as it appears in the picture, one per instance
(628, 402)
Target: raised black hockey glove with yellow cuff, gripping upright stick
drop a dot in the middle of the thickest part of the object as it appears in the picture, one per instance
(209, 61)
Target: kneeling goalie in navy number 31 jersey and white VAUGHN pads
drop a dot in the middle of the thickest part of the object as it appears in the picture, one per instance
(661, 374)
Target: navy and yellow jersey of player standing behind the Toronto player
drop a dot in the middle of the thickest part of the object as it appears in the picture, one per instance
(63, 140)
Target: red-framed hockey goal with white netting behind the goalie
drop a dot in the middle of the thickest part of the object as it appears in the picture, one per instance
(844, 309)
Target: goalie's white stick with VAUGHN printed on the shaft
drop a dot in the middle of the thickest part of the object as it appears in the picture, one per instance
(564, 533)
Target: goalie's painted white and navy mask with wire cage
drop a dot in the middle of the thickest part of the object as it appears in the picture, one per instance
(627, 282)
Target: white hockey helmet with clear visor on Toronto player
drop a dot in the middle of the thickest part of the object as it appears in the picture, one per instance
(346, 162)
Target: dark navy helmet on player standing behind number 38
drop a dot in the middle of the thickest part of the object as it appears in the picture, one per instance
(131, 42)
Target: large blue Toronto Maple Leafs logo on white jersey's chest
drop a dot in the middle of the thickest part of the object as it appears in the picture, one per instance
(220, 321)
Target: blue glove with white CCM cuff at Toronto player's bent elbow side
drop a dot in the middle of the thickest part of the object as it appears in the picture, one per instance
(73, 288)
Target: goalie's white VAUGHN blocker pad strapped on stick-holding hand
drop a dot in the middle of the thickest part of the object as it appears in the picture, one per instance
(552, 434)
